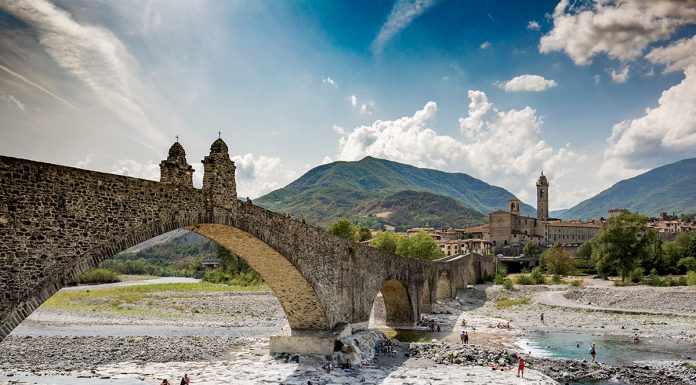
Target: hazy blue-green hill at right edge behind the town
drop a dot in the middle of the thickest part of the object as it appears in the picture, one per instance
(670, 188)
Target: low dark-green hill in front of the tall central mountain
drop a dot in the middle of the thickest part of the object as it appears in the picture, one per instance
(420, 209)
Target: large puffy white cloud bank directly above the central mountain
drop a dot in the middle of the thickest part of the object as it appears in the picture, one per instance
(502, 147)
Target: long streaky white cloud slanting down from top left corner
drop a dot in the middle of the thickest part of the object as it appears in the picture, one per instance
(93, 55)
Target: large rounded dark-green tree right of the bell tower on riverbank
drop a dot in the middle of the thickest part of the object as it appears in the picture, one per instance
(622, 243)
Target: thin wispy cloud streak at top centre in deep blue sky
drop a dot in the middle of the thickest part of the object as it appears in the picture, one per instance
(402, 14)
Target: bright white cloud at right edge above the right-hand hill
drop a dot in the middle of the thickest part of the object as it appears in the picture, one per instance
(664, 133)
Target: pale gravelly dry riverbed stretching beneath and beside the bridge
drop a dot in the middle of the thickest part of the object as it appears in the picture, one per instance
(215, 354)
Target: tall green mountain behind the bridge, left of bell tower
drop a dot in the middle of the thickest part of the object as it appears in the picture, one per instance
(341, 189)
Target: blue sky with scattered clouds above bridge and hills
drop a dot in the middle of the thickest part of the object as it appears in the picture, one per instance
(590, 92)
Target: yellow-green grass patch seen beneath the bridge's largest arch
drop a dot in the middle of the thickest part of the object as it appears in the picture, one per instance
(138, 300)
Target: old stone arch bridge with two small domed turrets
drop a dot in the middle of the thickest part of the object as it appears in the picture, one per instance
(57, 222)
